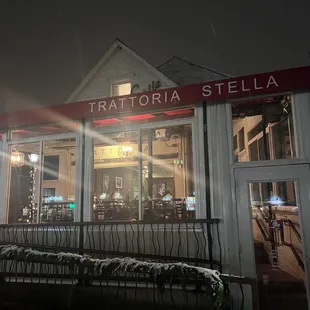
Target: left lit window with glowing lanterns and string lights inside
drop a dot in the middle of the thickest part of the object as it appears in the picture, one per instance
(42, 181)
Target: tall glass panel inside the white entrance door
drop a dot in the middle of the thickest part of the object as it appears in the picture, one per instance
(277, 241)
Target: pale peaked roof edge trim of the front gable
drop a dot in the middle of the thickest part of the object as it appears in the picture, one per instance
(117, 45)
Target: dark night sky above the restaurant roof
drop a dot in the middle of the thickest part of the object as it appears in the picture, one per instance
(47, 47)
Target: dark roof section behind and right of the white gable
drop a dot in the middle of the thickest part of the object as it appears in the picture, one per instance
(184, 72)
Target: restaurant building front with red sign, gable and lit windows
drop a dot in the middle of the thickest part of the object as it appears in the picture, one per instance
(133, 144)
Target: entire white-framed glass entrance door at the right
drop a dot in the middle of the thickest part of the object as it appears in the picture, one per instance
(273, 210)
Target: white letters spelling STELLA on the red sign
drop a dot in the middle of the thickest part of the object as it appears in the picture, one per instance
(238, 86)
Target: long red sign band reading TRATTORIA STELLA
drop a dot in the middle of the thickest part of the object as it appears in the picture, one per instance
(297, 79)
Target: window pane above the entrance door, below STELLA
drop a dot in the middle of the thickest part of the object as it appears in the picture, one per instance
(263, 131)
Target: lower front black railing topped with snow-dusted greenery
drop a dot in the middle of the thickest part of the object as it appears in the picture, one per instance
(121, 281)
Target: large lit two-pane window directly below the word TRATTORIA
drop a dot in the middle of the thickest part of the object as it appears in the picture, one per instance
(150, 178)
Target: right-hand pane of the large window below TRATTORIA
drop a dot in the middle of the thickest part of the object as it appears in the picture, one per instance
(168, 185)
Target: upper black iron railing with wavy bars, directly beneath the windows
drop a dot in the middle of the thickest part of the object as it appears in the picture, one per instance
(182, 241)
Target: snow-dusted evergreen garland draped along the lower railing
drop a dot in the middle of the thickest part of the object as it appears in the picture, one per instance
(158, 273)
